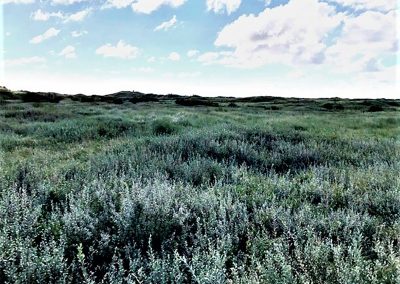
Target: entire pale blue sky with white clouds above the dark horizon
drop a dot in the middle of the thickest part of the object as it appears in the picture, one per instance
(292, 48)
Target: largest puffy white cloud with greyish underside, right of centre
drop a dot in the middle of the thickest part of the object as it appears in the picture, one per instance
(280, 34)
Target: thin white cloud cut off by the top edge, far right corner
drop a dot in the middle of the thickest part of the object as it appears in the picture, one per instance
(379, 5)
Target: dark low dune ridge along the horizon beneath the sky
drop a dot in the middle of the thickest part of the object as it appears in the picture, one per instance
(328, 104)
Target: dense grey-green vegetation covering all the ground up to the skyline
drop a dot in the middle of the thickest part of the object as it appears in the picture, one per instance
(131, 188)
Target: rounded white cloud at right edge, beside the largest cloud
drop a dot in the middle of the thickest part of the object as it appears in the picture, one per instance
(364, 39)
